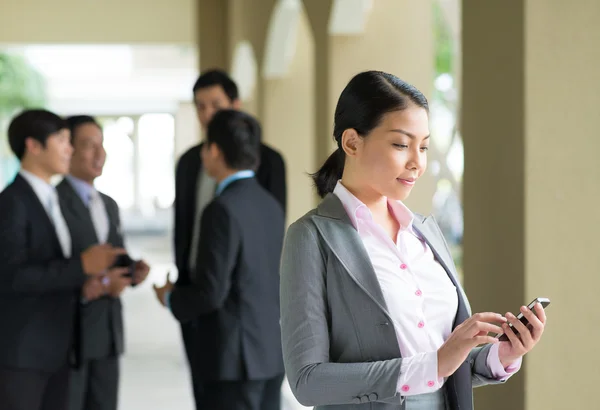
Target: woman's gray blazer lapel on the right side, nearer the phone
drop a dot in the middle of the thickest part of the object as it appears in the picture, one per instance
(428, 229)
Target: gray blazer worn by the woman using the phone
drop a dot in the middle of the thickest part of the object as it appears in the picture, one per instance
(339, 344)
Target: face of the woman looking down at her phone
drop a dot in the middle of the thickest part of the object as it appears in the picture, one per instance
(393, 156)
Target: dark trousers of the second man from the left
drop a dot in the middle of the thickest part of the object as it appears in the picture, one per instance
(95, 386)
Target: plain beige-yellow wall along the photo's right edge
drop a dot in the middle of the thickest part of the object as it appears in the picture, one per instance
(563, 198)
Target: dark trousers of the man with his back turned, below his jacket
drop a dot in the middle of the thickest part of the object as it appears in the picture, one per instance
(241, 395)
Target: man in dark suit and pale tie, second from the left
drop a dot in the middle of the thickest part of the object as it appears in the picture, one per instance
(94, 218)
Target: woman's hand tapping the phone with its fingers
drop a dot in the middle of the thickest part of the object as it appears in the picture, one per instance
(472, 332)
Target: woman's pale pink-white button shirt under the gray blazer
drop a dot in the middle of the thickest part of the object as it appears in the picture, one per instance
(420, 297)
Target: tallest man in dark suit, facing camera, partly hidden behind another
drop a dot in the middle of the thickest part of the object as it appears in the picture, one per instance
(214, 90)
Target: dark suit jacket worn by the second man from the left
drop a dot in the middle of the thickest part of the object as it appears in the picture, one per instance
(101, 322)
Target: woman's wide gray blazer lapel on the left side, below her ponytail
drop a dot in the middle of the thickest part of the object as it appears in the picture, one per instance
(344, 241)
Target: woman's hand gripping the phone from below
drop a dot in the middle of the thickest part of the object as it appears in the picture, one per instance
(518, 345)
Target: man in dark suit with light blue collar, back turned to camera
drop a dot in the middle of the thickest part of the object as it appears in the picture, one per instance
(233, 298)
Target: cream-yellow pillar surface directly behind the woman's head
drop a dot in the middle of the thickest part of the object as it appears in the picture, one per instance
(391, 43)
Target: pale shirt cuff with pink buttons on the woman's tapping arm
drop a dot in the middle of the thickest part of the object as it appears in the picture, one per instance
(419, 374)
